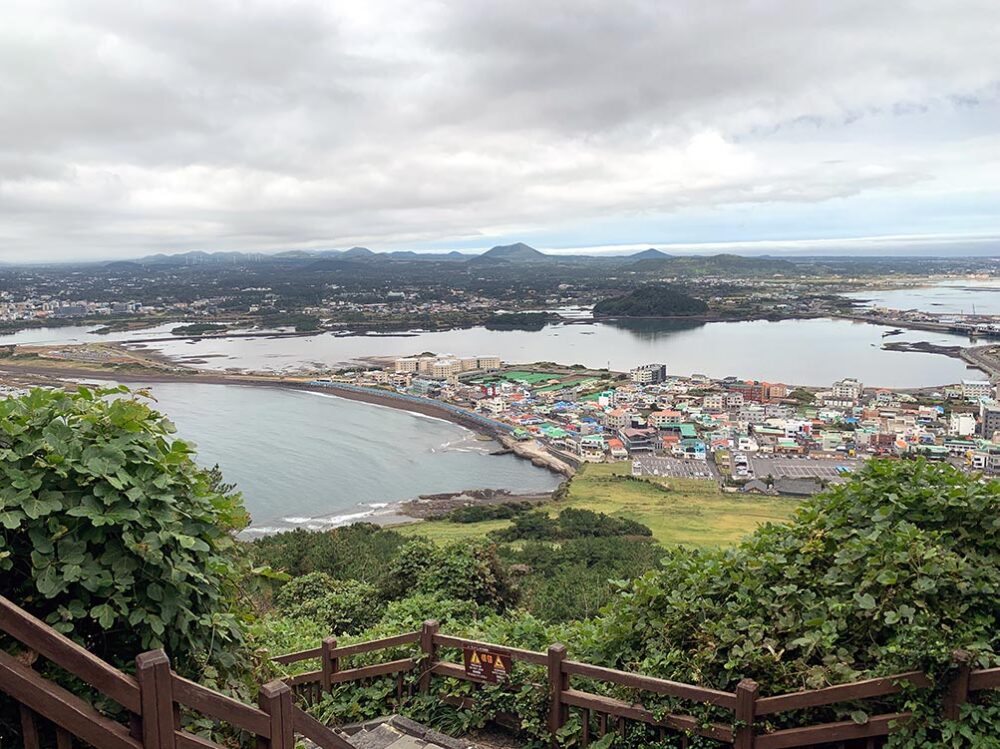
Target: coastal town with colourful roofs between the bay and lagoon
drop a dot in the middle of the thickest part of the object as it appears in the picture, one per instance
(762, 437)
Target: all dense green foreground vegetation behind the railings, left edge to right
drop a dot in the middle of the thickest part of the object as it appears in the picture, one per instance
(111, 533)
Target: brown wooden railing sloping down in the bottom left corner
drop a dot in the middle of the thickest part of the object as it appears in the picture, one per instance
(153, 699)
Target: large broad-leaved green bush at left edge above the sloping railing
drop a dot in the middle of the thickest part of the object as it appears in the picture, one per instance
(110, 532)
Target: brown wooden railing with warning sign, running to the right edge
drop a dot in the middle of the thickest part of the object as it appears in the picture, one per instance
(599, 713)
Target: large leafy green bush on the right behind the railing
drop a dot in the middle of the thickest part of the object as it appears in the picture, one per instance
(889, 572)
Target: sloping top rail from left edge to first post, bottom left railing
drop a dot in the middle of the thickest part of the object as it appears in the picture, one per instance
(62, 651)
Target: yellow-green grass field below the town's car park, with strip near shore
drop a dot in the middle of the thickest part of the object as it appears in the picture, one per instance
(693, 512)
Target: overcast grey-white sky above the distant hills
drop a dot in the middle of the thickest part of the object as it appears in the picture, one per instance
(135, 127)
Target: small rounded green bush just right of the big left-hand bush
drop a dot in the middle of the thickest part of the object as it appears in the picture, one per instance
(342, 606)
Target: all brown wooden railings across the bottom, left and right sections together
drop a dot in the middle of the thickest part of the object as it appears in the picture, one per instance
(155, 698)
